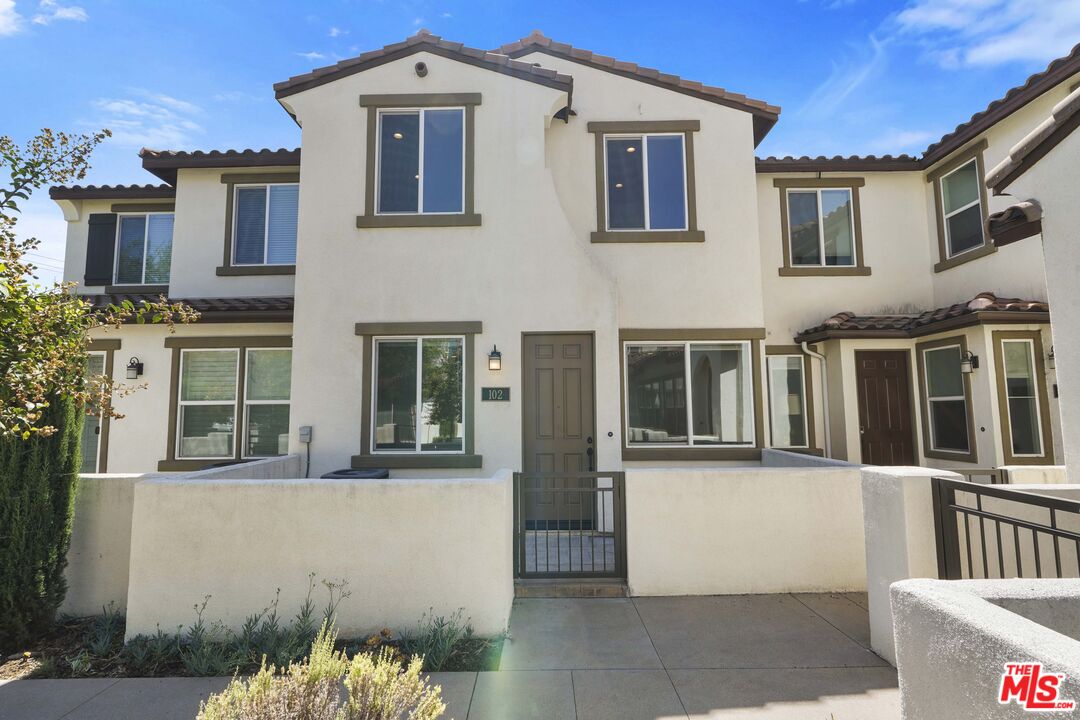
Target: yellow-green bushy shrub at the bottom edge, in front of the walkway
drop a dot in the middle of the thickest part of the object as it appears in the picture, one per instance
(377, 689)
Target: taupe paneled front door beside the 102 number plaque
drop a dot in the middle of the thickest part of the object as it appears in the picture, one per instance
(559, 419)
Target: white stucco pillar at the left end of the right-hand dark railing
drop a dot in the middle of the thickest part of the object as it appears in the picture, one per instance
(899, 526)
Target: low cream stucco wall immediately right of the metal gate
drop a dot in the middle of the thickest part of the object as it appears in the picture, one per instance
(734, 531)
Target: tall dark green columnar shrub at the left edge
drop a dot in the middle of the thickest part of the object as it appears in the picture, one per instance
(38, 481)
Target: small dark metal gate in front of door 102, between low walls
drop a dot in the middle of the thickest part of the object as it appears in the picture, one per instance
(570, 525)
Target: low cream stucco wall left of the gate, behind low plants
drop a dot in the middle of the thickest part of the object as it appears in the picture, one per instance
(406, 548)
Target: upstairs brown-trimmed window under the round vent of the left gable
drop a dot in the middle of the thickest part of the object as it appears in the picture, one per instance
(421, 166)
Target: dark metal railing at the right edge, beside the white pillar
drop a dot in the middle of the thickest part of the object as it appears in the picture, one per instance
(989, 532)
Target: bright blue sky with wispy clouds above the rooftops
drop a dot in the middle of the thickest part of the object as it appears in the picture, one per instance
(852, 76)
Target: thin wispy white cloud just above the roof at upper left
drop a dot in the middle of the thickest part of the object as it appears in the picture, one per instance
(147, 119)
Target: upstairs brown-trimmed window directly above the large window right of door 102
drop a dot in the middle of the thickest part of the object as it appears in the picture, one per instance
(645, 189)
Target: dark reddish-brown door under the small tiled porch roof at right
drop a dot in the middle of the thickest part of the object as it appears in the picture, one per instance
(885, 407)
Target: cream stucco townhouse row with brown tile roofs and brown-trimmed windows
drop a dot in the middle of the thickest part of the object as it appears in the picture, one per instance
(547, 260)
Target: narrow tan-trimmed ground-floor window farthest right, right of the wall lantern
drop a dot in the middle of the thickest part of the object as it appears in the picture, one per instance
(1023, 406)
